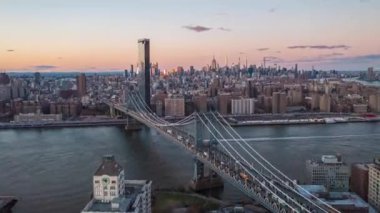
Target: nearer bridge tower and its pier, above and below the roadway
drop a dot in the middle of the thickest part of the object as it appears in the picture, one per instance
(200, 180)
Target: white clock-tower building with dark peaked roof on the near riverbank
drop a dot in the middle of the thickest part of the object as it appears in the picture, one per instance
(112, 193)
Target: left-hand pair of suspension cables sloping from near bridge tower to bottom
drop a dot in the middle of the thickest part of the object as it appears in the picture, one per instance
(264, 178)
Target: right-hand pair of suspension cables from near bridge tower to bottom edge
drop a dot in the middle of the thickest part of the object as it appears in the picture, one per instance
(296, 186)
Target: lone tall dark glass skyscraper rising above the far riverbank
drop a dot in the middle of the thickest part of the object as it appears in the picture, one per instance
(144, 73)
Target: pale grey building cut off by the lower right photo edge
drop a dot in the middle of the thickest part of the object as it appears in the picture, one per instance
(374, 184)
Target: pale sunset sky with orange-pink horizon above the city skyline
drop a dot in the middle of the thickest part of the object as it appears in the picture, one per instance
(102, 36)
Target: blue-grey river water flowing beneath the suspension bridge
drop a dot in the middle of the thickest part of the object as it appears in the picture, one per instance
(51, 170)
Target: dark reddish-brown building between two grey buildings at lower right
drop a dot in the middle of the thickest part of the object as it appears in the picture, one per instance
(359, 180)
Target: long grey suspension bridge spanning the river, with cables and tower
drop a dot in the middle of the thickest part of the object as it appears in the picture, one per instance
(214, 144)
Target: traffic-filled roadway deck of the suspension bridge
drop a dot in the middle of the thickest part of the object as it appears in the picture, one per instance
(232, 171)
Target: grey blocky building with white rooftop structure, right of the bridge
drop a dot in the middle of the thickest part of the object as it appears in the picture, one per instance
(330, 171)
